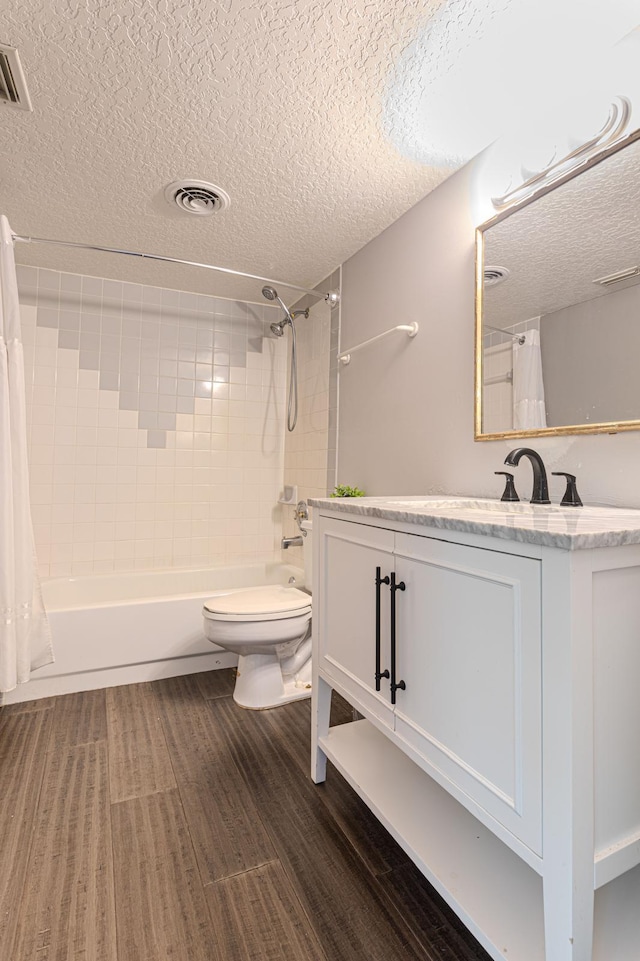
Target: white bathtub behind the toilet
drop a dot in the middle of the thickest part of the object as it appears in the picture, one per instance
(111, 629)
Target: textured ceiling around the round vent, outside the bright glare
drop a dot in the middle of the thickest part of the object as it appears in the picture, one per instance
(278, 102)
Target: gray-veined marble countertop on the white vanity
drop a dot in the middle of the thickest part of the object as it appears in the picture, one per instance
(568, 528)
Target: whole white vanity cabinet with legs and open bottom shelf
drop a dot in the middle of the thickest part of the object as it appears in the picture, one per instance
(507, 764)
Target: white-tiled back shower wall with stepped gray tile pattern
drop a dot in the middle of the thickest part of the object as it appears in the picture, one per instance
(155, 425)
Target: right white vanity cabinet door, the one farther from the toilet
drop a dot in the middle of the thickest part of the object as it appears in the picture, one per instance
(469, 652)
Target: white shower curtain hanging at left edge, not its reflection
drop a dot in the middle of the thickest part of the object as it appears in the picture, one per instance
(25, 637)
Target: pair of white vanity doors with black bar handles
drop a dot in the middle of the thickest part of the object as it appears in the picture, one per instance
(467, 657)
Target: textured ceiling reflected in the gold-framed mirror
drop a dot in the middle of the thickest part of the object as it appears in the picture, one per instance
(558, 245)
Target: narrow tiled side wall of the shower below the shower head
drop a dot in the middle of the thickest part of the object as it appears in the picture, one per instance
(310, 450)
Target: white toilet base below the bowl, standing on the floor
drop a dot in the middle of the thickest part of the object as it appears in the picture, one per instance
(260, 683)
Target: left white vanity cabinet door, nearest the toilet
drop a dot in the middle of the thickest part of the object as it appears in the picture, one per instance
(345, 611)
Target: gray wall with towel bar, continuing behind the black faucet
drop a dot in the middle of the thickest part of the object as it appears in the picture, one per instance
(406, 406)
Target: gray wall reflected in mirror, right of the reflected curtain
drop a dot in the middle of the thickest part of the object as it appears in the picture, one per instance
(590, 356)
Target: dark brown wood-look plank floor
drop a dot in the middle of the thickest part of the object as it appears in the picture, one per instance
(159, 822)
